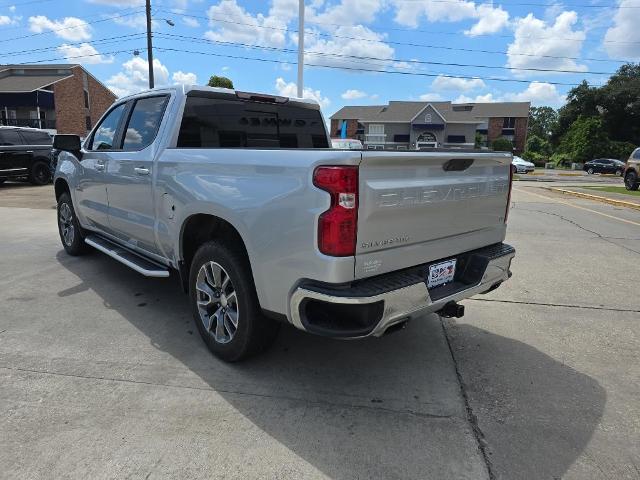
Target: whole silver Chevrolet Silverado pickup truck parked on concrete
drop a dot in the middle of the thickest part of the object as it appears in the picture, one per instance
(241, 196)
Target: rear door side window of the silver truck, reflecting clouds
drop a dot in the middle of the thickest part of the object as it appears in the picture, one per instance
(144, 122)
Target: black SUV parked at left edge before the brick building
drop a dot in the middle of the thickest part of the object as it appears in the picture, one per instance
(25, 153)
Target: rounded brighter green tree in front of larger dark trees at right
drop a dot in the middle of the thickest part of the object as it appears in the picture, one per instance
(585, 140)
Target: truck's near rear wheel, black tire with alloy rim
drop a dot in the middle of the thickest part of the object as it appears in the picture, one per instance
(253, 332)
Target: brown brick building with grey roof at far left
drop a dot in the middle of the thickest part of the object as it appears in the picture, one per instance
(59, 98)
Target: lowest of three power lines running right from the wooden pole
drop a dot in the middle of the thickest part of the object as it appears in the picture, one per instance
(396, 72)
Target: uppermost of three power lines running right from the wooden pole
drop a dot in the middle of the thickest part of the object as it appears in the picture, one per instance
(411, 44)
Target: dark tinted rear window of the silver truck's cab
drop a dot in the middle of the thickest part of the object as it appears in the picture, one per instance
(221, 123)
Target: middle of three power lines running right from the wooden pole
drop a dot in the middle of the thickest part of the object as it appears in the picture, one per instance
(358, 57)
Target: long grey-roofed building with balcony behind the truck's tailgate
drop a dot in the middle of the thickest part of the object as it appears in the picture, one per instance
(418, 125)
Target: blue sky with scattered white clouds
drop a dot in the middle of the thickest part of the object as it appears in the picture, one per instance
(357, 52)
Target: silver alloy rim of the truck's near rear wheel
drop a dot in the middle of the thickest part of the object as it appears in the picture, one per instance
(217, 302)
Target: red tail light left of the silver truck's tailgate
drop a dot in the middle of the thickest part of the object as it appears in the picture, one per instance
(337, 227)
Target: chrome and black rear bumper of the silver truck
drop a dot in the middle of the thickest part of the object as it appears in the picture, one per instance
(370, 307)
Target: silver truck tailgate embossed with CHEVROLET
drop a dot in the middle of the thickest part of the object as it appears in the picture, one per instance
(417, 207)
